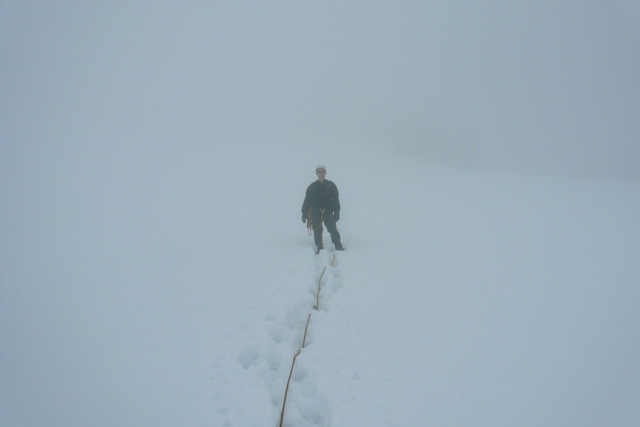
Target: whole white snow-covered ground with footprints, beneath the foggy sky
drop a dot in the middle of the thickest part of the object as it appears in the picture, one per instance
(179, 296)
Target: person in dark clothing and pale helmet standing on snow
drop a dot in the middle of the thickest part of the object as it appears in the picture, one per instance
(322, 204)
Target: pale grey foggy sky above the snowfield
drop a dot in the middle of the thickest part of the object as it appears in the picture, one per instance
(542, 87)
